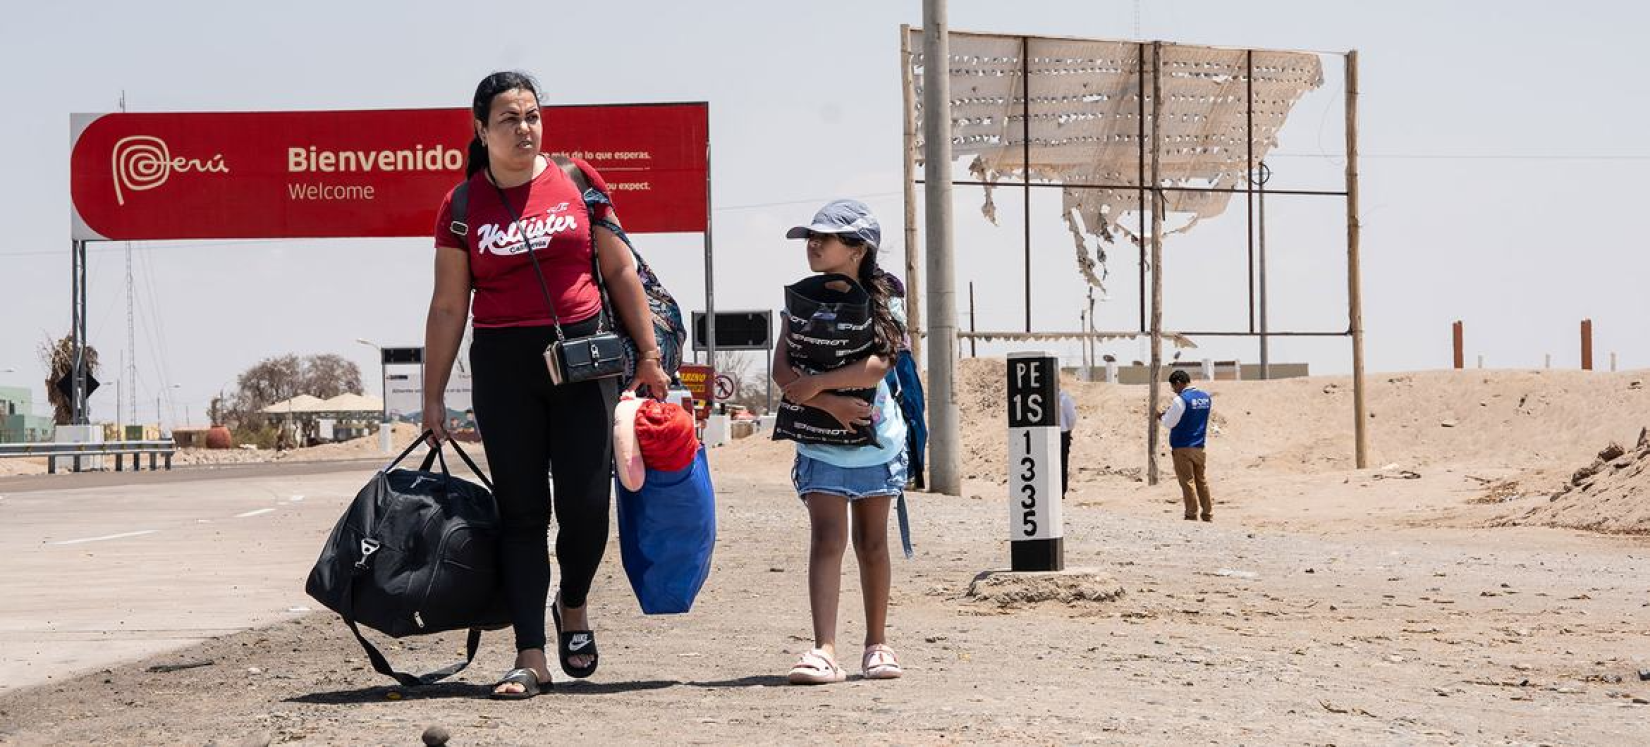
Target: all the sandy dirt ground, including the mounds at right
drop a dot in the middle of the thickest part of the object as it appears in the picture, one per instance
(1324, 604)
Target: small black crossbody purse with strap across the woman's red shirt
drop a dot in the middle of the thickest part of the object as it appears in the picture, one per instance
(580, 359)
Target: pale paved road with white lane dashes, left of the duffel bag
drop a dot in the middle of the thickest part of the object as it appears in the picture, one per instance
(118, 566)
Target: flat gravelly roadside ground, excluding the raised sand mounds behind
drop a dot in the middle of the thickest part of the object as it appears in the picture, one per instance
(1228, 634)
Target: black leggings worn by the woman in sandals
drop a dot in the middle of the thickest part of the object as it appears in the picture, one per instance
(532, 428)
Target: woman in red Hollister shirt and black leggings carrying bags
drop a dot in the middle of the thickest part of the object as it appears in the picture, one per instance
(521, 199)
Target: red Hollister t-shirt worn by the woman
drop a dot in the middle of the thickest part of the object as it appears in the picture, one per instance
(552, 212)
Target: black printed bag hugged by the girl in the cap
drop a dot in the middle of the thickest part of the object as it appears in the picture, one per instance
(826, 329)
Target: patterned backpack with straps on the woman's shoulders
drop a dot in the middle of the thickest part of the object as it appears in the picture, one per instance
(669, 329)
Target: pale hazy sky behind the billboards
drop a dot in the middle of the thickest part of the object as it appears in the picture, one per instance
(1502, 176)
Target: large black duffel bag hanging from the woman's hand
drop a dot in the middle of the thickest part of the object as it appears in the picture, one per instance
(417, 553)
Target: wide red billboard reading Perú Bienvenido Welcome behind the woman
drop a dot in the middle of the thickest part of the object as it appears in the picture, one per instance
(270, 176)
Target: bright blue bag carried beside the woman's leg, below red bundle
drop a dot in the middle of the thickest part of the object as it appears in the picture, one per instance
(667, 532)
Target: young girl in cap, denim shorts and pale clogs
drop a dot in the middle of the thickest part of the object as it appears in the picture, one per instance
(837, 481)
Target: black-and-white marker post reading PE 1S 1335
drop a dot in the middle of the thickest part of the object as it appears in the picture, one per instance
(1035, 517)
